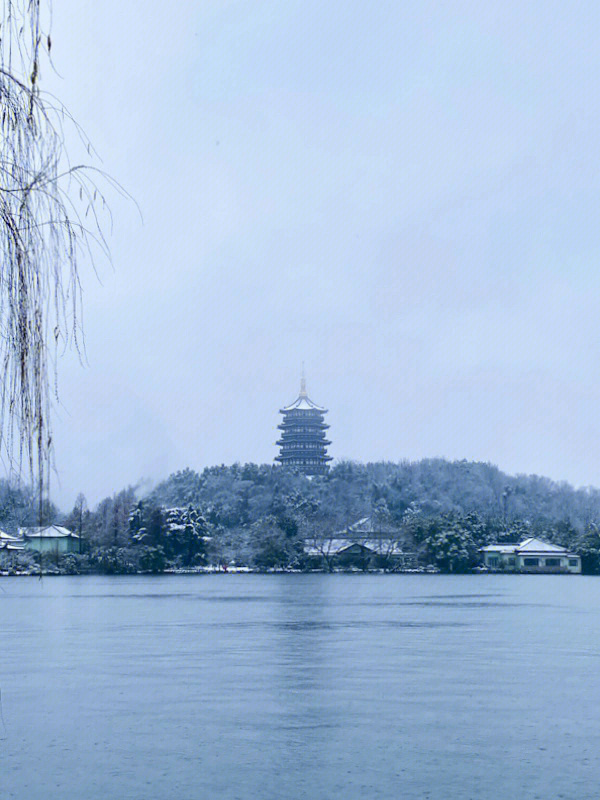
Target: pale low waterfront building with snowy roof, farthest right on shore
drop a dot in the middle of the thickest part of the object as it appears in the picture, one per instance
(531, 555)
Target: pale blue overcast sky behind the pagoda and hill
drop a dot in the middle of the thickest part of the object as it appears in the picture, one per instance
(405, 195)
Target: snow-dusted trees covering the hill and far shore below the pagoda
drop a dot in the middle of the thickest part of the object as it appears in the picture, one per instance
(261, 515)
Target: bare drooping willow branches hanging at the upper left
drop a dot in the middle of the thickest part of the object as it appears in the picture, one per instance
(49, 219)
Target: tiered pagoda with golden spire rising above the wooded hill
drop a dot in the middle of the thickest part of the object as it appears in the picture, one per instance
(303, 445)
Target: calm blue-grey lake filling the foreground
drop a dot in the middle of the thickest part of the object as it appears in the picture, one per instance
(280, 687)
